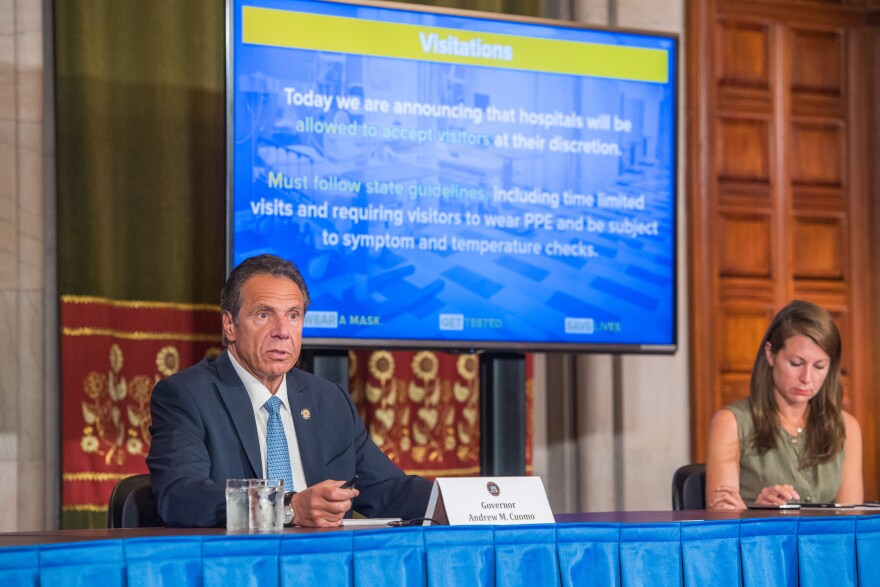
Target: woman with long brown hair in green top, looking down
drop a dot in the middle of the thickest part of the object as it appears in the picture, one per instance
(790, 440)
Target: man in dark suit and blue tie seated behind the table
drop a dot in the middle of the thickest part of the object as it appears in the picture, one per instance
(210, 422)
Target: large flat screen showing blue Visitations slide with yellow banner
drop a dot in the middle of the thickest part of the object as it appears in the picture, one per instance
(457, 180)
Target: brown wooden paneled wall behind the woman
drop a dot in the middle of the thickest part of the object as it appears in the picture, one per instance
(782, 194)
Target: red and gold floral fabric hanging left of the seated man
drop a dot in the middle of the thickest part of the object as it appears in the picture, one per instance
(112, 354)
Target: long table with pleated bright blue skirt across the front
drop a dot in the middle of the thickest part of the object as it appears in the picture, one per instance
(816, 547)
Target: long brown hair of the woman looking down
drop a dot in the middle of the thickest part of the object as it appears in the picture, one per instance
(825, 431)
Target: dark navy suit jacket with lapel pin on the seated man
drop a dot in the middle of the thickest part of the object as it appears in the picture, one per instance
(203, 433)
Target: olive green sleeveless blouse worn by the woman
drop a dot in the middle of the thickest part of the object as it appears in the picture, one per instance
(816, 484)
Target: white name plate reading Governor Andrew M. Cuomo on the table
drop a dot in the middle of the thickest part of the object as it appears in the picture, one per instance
(461, 501)
